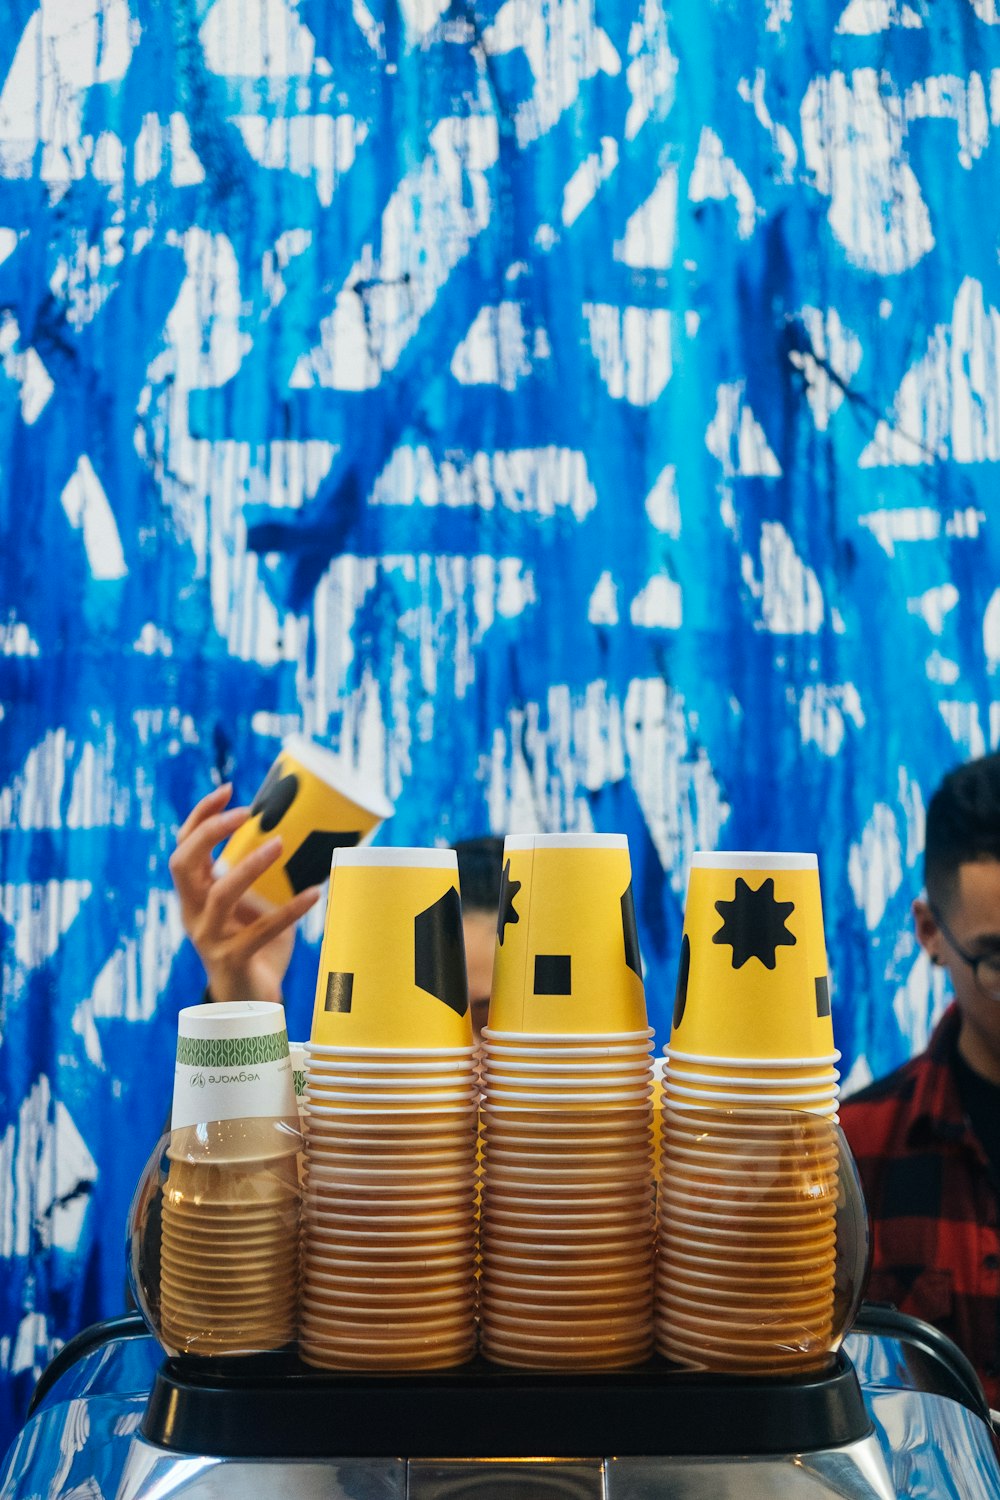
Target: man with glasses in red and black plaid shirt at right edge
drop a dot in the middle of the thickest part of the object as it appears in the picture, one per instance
(927, 1138)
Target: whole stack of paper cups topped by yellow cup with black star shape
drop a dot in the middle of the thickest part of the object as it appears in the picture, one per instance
(752, 1157)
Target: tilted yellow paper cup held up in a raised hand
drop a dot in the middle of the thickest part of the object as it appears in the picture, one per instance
(317, 803)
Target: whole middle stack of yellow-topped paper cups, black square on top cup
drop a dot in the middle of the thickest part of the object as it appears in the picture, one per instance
(567, 1219)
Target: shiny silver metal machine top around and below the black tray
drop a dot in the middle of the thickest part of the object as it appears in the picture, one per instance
(85, 1442)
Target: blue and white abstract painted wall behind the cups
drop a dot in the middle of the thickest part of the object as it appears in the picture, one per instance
(584, 412)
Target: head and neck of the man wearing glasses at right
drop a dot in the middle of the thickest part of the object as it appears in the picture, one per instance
(959, 920)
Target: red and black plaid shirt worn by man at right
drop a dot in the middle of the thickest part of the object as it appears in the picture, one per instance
(933, 1201)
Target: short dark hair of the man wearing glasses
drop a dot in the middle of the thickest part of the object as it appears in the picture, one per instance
(963, 826)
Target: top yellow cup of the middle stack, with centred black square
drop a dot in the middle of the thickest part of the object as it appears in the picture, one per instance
(567, 955)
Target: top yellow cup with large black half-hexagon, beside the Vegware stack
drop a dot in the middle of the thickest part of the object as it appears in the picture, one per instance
(392, 967)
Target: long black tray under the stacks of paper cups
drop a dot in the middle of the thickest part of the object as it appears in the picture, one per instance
(278, 1408)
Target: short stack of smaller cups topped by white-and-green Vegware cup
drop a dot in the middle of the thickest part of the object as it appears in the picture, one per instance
(230, 1210)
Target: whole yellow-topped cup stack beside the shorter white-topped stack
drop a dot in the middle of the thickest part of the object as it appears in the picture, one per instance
(389, 1217)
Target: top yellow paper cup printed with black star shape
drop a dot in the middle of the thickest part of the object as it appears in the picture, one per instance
(753, 977)
